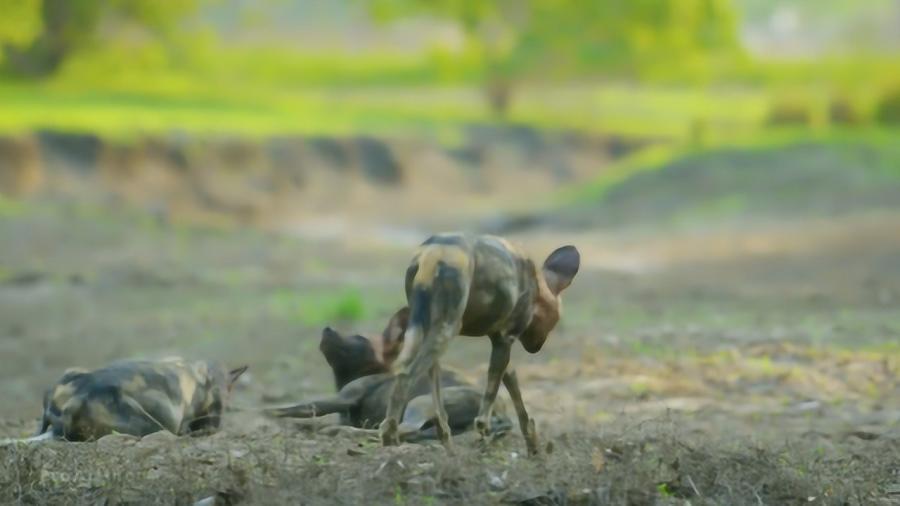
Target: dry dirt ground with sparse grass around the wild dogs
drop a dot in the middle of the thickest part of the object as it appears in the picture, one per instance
(709, 366)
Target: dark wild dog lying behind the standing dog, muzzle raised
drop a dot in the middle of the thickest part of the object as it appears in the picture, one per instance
(361, 368)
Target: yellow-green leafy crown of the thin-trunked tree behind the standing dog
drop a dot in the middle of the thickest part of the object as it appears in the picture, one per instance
(516, 39)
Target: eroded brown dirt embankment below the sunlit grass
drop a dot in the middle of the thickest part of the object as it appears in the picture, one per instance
(258, 181)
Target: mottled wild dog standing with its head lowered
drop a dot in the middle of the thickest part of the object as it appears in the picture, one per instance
(476, 286)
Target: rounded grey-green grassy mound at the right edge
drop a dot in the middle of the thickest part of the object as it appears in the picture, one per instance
(786, 172)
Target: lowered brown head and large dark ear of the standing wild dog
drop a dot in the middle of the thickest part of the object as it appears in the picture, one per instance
(552, 278)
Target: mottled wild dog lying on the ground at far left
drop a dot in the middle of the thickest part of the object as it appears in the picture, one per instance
(137, 398)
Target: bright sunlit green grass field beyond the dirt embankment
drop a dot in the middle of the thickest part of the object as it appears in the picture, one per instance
(270, 93)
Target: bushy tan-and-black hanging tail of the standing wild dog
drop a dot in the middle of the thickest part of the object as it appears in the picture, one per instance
(437, 299)
